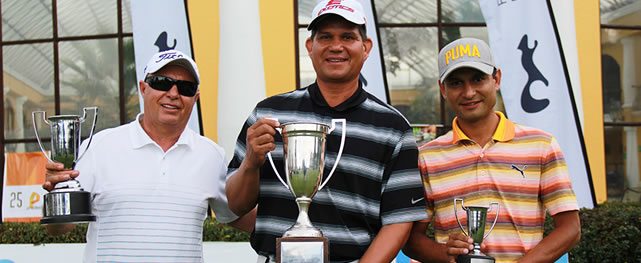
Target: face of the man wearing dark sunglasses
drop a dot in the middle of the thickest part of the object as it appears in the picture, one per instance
(168, 108)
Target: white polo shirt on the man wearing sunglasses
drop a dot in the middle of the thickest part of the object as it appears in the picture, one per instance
(150, 205)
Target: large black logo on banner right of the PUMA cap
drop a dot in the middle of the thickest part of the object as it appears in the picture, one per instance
(528, 103)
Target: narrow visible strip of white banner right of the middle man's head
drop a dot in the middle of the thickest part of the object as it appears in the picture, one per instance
(372, 71)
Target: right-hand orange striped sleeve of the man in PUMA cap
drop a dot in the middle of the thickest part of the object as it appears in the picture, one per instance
(556, 188)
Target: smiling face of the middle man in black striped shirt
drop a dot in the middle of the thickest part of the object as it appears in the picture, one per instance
(337, 50)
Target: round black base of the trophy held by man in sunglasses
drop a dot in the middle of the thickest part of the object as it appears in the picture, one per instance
(66, 207)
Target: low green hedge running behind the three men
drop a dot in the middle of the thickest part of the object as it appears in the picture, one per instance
(610, 233)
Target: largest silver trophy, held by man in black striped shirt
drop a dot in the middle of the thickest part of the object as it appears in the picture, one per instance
(304, 155)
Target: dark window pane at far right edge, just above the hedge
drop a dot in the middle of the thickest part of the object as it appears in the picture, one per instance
(622, 161)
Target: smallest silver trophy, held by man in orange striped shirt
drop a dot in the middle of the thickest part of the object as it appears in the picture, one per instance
(476, 218)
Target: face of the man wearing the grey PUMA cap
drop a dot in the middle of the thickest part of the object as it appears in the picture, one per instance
(471, 94)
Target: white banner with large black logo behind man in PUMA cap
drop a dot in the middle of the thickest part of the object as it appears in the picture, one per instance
(535, 85)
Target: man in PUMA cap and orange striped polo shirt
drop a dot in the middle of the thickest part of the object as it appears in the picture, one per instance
(487, 158)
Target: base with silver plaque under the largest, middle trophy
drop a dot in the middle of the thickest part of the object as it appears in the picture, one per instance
(302, 249)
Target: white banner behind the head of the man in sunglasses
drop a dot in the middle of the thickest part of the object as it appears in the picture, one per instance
(160, 25)
